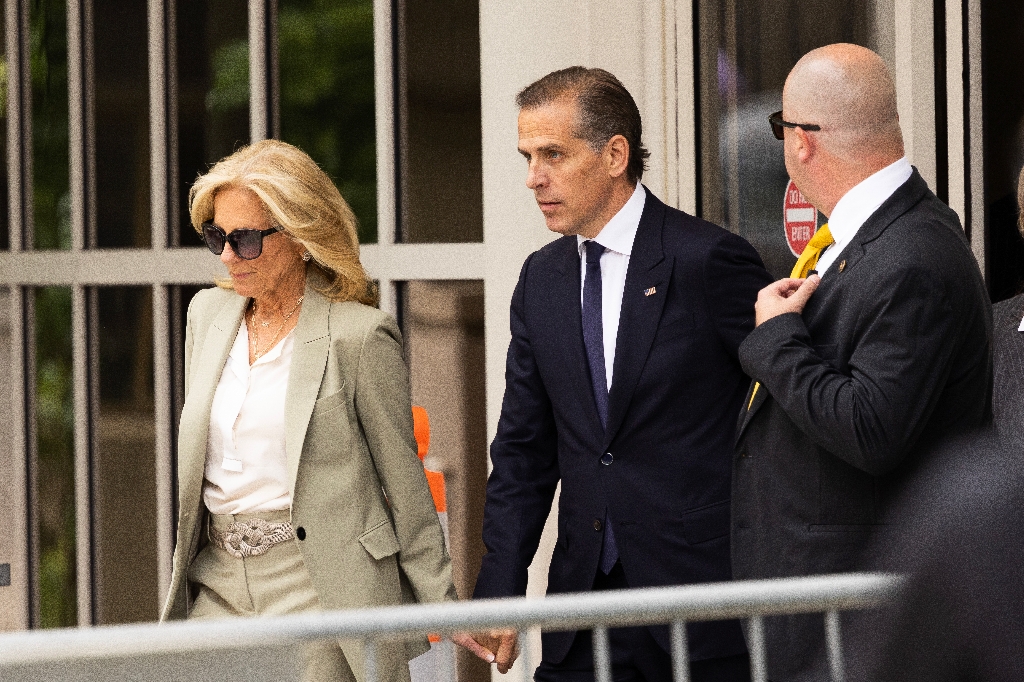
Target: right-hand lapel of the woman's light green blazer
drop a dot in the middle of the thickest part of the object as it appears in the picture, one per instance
(313, 344)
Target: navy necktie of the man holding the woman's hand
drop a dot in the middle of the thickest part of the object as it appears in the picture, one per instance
(593, 340)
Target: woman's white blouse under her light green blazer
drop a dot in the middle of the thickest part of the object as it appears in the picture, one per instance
(246, 465)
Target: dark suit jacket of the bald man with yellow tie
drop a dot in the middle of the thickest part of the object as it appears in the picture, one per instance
(890, 355)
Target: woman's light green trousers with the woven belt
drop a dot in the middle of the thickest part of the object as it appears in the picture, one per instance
(273, 584)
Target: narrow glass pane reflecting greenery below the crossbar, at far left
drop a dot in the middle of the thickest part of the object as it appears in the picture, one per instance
(55, 481)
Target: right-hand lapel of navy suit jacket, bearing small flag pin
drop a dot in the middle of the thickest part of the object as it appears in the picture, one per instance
(644, 300)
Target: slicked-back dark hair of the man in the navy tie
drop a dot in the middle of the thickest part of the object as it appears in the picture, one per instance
(605, 107)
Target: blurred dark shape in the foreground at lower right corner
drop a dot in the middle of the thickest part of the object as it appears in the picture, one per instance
(961, 617)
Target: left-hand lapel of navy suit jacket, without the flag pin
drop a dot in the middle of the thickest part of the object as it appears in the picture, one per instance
(566, 300)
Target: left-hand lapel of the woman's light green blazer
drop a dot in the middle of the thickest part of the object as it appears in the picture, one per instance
(195, 429)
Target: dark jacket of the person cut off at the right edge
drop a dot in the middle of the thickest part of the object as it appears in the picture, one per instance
(1008, 394)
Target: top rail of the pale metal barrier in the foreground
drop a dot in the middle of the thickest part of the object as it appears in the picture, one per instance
(572, 612)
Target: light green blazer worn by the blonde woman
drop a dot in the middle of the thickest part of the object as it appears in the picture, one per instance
(372, 534)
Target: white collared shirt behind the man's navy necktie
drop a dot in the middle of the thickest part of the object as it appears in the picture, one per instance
(617, 238)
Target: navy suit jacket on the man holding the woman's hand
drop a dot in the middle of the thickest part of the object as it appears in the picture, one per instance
(688, 304)
